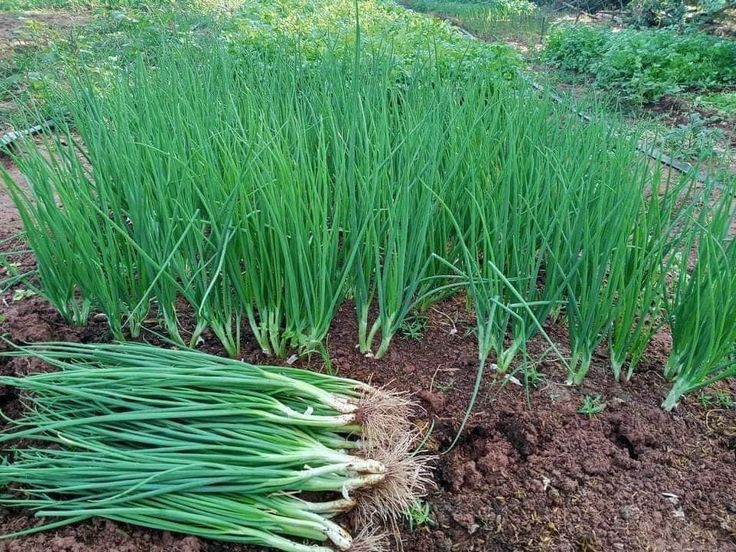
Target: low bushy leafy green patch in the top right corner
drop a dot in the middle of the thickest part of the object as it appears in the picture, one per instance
(644, 65)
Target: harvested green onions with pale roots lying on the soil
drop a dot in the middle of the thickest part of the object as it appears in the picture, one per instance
(189, 442)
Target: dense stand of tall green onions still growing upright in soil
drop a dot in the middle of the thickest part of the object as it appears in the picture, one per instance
(235, 192)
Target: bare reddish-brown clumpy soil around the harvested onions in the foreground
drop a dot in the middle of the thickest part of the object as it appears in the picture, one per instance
(529, 472)
